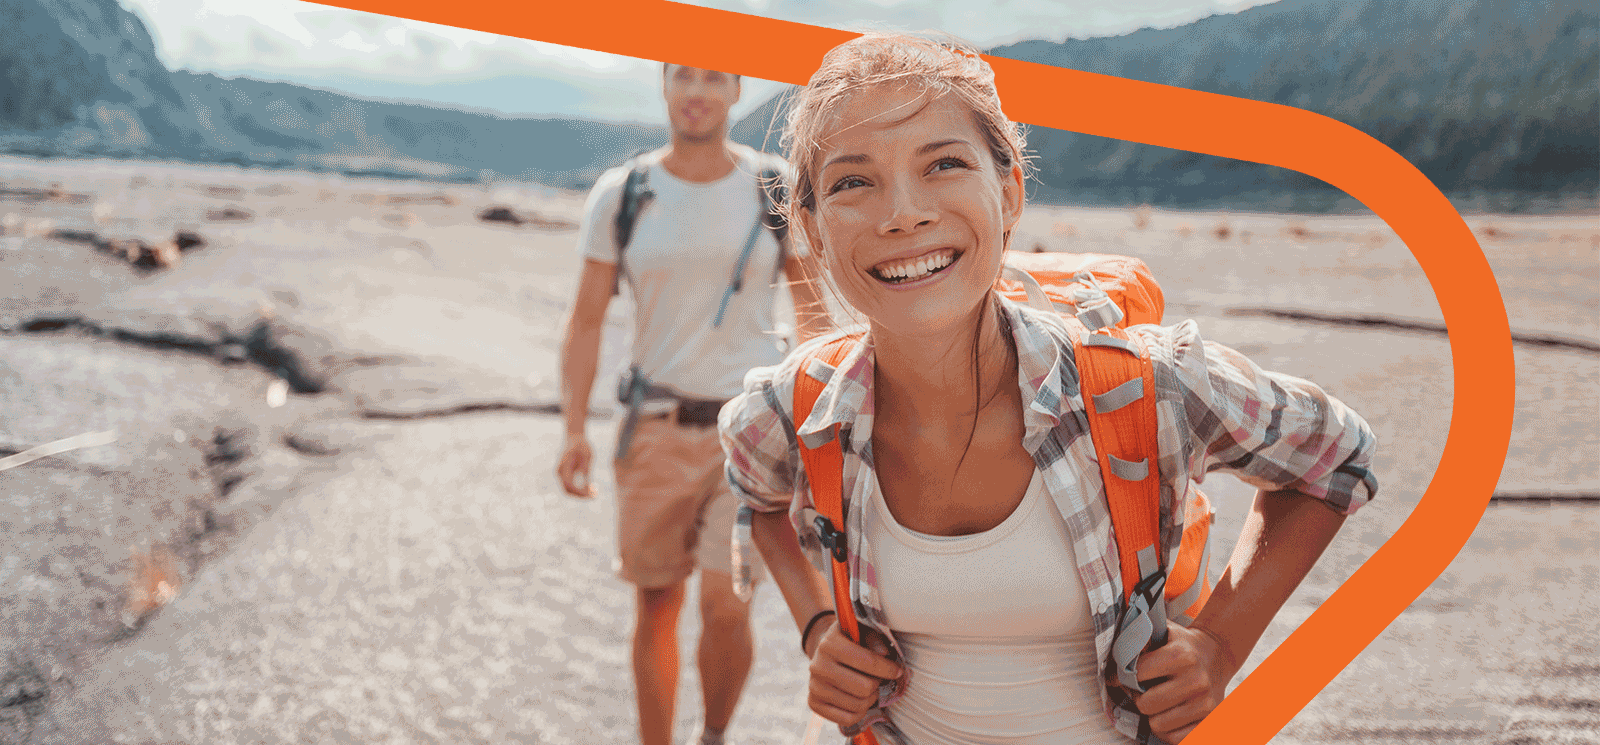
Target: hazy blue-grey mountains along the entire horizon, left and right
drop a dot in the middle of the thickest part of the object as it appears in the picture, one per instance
(1482, 97)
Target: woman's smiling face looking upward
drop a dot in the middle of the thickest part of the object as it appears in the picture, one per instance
(911, 209)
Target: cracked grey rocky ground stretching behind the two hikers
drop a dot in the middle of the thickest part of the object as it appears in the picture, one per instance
(335, 434)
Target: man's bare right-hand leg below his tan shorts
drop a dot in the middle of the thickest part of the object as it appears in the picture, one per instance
(727, 648)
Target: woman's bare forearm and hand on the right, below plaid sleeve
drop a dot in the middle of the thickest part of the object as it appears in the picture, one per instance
(1282, 540)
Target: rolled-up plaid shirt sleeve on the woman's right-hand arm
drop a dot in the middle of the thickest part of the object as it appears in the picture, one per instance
(1273, 431)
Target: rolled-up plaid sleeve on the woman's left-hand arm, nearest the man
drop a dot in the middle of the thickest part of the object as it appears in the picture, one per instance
(761, 444)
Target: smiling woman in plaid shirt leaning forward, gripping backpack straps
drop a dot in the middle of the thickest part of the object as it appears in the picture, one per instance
(978, 535)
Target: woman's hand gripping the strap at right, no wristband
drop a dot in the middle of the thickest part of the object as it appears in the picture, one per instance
(1198, 669)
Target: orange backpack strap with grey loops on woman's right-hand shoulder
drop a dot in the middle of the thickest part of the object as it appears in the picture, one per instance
(1118, 381)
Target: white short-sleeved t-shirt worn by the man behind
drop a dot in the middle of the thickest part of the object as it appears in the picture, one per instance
(679, 266)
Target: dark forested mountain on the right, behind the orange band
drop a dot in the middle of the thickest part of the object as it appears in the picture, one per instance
(1482, 97)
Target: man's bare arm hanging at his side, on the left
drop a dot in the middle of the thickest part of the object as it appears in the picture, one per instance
(580, 361)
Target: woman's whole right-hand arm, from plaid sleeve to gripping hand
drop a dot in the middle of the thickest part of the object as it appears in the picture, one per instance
(1310, 455)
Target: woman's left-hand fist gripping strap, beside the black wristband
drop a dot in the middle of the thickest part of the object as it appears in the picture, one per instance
(846, 677)
